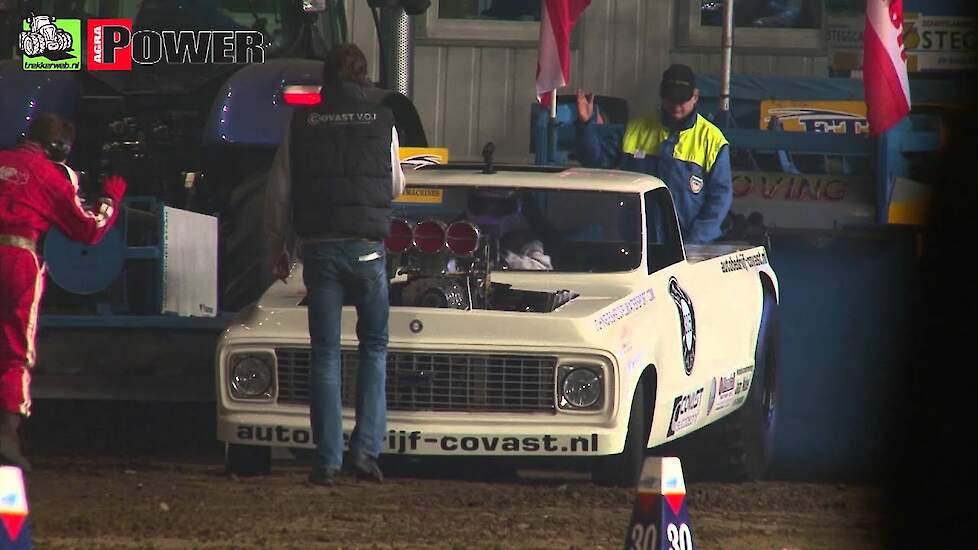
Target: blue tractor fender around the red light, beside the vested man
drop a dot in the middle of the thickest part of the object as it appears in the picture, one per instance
(250, 108)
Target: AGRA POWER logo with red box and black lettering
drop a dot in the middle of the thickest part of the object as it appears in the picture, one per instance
(113, 46)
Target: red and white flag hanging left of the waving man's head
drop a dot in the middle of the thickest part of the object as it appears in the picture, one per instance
(557, 18)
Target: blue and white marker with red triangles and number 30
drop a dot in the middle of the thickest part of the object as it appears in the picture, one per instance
(660, 518)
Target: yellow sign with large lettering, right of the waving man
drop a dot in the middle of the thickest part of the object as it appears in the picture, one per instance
(840, 117)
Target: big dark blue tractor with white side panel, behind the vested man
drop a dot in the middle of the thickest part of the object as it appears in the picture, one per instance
(194, 141)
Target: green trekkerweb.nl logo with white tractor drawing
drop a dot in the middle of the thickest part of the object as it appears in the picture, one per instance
(50, 44)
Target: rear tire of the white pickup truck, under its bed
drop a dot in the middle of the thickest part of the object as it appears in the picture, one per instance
(740, 447)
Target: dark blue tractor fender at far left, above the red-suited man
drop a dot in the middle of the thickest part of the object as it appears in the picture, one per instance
(24, 94)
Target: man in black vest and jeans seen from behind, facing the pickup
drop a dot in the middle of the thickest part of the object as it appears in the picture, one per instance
(335, 173)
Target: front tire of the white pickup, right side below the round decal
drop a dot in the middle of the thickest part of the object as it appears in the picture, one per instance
(623, 470)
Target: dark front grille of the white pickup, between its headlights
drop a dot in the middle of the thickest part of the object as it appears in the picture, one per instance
(435, 381)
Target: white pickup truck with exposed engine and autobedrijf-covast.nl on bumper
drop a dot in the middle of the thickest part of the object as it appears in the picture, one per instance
(534, 312)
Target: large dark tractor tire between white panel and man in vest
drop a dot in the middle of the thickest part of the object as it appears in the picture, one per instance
(245, 267)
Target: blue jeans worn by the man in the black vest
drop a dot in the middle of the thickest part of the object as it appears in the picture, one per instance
(356, 269)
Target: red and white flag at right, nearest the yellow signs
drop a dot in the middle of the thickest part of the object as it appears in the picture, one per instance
(887, 88)
